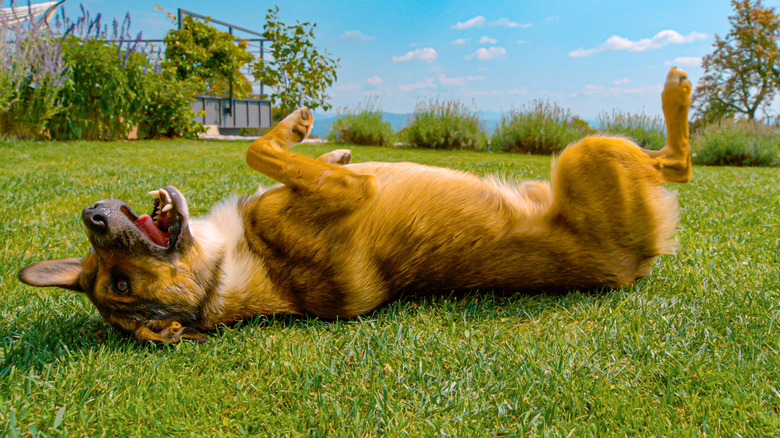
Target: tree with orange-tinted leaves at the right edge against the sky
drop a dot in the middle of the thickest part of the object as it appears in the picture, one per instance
(742, 75)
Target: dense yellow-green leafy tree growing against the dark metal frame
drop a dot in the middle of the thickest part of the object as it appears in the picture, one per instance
(202, 53)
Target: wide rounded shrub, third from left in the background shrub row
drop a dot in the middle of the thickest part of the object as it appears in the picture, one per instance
(542, 127)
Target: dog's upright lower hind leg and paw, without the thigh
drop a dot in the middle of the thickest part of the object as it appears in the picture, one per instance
(674, 160)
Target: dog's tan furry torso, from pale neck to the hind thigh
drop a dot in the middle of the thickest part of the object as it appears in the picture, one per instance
(426, 228)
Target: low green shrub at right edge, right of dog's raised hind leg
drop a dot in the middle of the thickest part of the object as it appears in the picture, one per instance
(736, 143)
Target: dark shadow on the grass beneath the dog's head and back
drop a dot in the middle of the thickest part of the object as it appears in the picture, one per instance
(39, 343)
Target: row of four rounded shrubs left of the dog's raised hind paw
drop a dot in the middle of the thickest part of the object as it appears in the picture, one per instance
(541, 127)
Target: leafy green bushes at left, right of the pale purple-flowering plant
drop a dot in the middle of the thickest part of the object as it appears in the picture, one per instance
(107, 95)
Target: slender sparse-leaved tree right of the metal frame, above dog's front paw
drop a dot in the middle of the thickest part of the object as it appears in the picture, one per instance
(298, 72)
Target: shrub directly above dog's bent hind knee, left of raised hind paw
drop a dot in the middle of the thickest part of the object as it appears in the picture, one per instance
(648, 132)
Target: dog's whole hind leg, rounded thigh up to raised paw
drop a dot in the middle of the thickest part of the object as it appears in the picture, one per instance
(608, 193)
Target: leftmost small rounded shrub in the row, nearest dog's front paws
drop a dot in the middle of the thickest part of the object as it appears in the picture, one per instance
(362, 125)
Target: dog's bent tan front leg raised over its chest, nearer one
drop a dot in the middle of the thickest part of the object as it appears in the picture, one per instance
(270, 156)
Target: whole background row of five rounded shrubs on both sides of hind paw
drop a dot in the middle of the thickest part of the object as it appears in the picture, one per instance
(543, 127)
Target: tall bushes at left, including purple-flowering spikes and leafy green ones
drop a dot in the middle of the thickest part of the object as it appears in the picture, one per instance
(88, 84)
